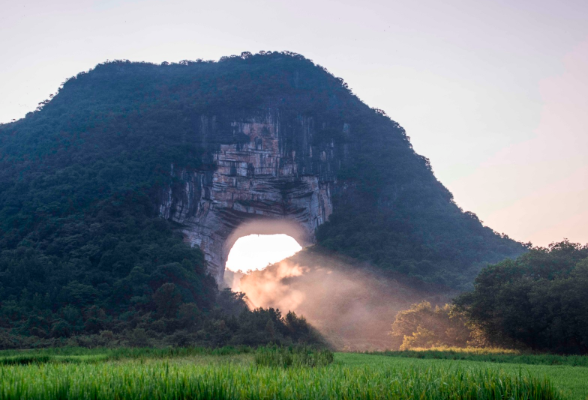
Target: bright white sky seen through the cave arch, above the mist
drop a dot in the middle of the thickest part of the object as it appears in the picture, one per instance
(255, 252)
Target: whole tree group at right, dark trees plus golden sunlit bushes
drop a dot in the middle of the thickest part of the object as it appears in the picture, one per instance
(536, 302)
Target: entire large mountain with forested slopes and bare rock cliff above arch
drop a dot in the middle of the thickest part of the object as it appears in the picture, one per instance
(135, 175)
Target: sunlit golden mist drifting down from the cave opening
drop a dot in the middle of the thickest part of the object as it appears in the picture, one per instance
(352, 306)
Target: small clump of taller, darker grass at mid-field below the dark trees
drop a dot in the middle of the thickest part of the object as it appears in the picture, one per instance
(274, 356)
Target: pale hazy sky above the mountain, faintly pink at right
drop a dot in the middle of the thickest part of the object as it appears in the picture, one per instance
(495, 93)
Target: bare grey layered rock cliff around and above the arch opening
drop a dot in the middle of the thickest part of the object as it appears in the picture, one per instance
(270, 174)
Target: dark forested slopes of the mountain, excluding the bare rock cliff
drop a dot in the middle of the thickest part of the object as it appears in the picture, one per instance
(79, 224)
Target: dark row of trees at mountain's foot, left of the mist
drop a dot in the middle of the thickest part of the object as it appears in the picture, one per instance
(178, 324)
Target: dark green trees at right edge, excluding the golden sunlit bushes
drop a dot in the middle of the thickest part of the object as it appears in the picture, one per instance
(537, 301)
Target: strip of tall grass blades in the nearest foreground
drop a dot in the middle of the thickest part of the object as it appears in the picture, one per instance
(162, 380)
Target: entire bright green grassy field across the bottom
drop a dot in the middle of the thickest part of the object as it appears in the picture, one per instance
(273, 373)
